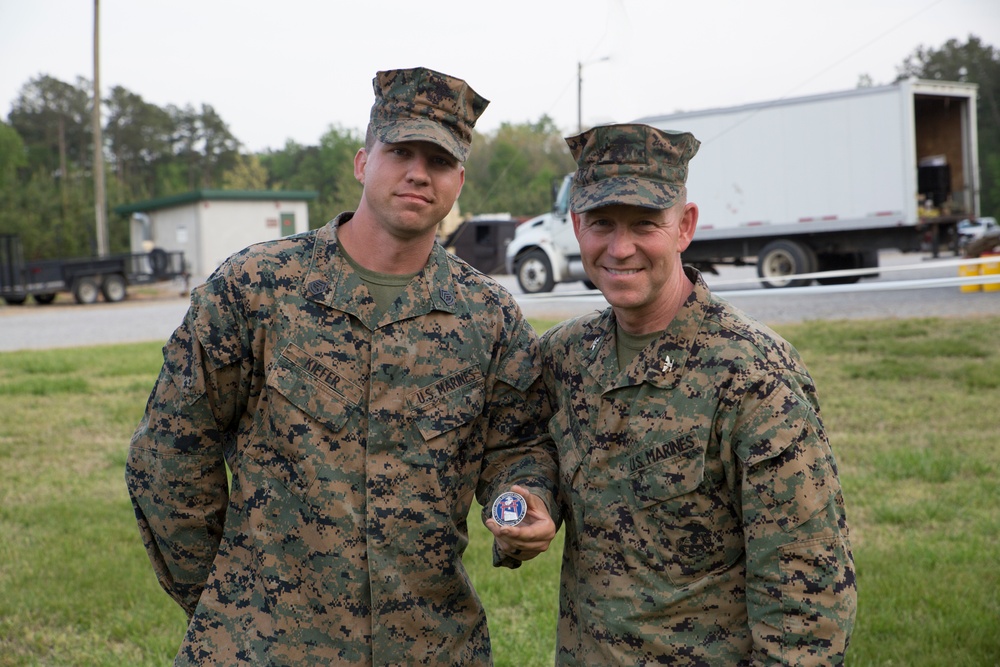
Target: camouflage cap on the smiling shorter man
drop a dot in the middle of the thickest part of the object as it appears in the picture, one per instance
(629, 164)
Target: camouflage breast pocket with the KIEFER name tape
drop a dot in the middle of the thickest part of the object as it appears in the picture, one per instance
(300, 433)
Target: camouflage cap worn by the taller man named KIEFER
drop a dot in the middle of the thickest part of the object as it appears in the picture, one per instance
(423, 105)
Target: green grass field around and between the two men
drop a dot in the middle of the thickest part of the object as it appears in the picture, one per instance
(912, 408)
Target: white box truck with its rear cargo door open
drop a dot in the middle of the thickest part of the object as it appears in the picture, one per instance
(804, 185)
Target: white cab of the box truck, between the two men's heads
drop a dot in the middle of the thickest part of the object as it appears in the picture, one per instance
(544, 250)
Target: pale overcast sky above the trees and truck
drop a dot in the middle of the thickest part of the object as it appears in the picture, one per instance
(289, 70)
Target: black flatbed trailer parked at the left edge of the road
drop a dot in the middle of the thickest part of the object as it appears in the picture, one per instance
(86, 278)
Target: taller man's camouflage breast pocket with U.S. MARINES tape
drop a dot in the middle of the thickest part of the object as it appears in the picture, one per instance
(445, 413)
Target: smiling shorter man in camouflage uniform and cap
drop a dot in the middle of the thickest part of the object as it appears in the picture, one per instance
(704, 518)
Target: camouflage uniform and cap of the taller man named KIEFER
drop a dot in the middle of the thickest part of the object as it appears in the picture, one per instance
(357, 437)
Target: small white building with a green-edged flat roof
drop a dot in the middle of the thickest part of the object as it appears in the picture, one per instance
(210, 225)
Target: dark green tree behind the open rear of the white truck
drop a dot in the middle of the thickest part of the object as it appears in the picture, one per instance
(978, 63)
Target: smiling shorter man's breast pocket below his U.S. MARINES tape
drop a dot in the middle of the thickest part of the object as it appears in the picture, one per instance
(682, 518)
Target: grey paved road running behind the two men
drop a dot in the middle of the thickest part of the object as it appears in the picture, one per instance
(66, 324)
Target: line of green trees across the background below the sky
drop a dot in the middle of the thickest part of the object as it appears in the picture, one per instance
(46, 161)
